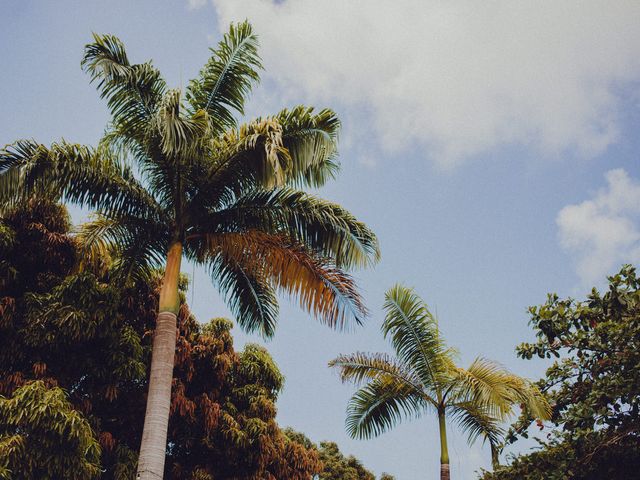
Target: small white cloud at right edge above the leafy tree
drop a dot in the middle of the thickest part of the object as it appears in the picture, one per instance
(603, 232)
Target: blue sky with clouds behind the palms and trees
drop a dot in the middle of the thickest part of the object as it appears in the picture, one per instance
(493, 148)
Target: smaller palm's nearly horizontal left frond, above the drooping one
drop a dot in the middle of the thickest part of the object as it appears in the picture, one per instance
(362, 367)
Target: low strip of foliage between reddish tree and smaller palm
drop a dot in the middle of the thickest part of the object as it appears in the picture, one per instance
(335, 466)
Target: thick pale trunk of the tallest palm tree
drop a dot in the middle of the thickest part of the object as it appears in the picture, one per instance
(156, 421)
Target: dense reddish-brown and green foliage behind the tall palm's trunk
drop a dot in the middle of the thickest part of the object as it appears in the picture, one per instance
(85, 341)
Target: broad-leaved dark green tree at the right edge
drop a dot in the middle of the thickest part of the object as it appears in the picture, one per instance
(593, 385)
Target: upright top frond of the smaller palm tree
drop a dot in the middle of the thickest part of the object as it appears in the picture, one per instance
(414, 335)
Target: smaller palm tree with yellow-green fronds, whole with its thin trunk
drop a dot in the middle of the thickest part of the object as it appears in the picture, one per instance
(424, 378)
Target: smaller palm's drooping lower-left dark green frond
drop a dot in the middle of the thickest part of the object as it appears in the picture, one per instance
(380, 405)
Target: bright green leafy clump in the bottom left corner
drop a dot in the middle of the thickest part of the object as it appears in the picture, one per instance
(42, 437)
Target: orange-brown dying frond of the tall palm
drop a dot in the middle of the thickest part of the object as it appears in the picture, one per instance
(322, 289)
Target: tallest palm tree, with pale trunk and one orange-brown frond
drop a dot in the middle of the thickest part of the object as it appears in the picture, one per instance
(176, 176)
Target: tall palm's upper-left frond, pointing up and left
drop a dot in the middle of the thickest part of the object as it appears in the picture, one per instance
(133, 92)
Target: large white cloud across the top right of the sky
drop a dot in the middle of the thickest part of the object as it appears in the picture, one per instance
(454, 79)
